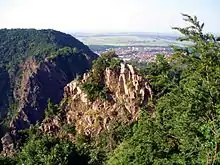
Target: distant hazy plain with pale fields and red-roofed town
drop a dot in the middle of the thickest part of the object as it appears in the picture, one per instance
(132, 46)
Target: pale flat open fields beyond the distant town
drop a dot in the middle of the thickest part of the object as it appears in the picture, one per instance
(130, 40)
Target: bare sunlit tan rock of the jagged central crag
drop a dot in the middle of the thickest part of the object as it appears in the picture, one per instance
(128, 91)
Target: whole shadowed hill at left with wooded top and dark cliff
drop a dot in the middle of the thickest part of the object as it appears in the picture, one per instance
(35, 65)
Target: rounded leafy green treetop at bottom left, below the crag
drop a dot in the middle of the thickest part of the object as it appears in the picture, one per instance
(48, 150)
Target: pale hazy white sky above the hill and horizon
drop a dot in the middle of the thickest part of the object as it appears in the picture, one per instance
(107, 15)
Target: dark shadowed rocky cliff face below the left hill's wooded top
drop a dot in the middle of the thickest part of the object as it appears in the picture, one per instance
(40, 82)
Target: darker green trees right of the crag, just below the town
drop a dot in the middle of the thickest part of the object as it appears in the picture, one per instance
(163, 74)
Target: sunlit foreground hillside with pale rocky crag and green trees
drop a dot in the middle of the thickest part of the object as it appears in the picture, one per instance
(164, 112)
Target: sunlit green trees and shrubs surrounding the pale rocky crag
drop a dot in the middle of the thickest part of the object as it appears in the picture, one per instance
(179, 125)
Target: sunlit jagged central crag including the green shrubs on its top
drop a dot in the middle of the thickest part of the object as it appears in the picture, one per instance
(121, 94)
